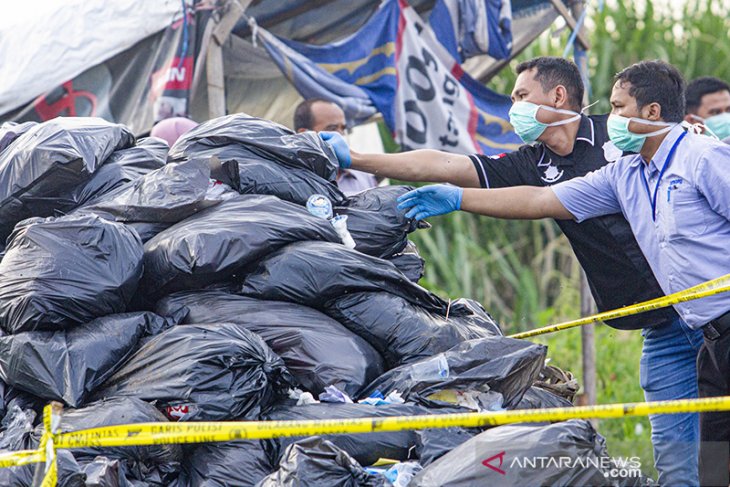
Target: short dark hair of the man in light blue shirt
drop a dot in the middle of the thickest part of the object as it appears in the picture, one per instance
(656, 82)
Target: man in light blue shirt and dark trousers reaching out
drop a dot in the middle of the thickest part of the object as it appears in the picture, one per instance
(675, 194)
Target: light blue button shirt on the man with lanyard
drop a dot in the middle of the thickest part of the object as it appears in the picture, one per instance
(689, 240)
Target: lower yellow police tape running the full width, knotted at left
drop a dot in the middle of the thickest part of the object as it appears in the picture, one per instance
(141, 434)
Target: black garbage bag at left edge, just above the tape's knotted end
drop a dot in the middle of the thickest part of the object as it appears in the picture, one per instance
(67, 365)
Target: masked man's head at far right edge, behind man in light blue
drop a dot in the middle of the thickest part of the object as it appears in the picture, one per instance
(708, 102)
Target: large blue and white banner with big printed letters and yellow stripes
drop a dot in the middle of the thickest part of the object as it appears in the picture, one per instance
(394, 64)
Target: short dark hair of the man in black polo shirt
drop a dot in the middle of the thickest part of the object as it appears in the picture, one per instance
(554, 71)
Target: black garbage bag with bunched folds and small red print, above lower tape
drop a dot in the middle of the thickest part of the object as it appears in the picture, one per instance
(203, 372)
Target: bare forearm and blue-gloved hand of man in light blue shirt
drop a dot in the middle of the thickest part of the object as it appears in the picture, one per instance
(519, 202)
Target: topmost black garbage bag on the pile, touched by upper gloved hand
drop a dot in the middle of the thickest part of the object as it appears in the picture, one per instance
(264, 140)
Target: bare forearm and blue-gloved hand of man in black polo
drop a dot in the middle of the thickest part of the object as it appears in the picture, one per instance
(424, 165)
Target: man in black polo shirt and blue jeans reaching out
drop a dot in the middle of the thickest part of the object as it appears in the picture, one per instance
(547, 102)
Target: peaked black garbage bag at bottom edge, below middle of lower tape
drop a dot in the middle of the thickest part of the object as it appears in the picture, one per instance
(317, 462)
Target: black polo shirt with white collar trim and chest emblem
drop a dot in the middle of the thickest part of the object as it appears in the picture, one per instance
(617, 271)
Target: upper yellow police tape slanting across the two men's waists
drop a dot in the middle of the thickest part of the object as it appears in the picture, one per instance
(709, 288)
